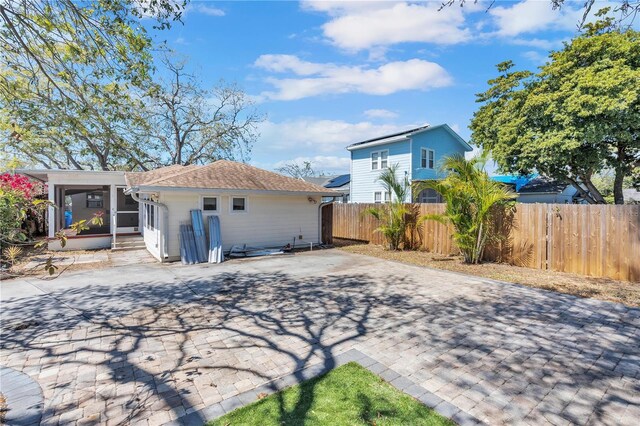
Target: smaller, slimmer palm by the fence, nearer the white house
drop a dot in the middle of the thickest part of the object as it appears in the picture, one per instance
(392, 215)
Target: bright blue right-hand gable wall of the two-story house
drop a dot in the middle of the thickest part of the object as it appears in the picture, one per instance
(442, 142)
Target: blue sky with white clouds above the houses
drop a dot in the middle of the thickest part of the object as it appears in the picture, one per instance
(327, 74)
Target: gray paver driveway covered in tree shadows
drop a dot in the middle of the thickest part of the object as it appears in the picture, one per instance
(148, 343)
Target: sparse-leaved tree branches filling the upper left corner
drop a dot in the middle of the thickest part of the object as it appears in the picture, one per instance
(71, 77)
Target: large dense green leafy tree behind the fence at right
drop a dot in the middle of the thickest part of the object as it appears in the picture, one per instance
(578, 116)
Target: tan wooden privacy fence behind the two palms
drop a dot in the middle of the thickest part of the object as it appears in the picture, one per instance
(594, 240)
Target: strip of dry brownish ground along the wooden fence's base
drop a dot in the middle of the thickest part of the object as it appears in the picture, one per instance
(627, 293)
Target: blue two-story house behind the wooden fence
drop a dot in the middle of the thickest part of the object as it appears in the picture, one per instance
(418, 153)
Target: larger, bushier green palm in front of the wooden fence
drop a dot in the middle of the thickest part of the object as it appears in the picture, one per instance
(471, 199)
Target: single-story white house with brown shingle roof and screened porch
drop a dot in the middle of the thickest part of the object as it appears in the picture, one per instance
(256, 207)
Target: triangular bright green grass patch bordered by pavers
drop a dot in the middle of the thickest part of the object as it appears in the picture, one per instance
(347, 395)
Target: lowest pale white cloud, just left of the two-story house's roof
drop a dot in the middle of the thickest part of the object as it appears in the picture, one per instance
(310, 137)
